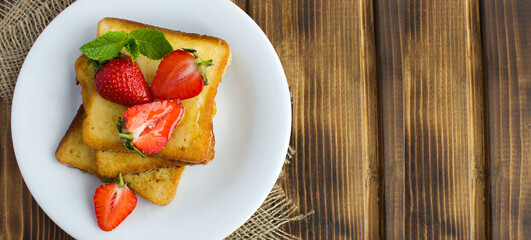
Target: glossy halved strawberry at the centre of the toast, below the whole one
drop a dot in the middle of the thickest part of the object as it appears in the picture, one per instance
(147, 128)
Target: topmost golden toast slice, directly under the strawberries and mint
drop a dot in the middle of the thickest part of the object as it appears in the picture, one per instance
(193, 139)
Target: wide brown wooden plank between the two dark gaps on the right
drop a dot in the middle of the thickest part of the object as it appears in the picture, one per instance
(430, 73)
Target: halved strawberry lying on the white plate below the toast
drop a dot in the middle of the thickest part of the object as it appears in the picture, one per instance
(113, 202)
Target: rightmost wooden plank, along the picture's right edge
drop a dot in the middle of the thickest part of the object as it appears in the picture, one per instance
(507, 57)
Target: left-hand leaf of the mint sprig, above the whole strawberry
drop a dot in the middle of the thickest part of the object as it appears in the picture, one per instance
(105, 47)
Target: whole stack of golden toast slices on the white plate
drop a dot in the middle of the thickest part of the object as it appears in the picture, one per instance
(92, 143)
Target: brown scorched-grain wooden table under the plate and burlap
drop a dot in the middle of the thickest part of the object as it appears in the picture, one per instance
(411, 120)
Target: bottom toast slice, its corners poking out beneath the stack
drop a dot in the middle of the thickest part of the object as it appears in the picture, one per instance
(158, 186)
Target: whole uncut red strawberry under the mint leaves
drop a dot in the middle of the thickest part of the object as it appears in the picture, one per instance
(121, 81)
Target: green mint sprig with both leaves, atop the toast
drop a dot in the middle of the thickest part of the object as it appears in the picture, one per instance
(148, 42)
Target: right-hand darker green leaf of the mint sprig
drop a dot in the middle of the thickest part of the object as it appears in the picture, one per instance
(151, 43)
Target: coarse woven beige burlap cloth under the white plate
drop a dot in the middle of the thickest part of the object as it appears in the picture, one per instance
(20, 25)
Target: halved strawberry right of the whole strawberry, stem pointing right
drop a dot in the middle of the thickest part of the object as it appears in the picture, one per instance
(181, 75)
